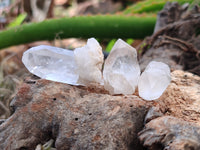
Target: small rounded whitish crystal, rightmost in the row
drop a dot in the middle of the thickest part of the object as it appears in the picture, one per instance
(154, 80)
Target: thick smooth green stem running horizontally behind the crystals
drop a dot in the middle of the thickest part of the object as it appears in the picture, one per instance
(107, 26)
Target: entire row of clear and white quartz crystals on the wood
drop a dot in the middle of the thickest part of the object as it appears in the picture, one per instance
(83, 66)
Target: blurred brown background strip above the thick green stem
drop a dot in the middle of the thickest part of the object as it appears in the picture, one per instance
(39, 10)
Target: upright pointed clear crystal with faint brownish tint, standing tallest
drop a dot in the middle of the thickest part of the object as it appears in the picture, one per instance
(121, 69)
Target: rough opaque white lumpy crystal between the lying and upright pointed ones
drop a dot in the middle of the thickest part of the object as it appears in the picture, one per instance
(89, 60)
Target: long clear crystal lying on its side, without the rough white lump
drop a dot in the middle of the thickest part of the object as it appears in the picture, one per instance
(51, 63)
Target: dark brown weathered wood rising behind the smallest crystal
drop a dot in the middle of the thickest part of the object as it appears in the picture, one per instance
(176, 39)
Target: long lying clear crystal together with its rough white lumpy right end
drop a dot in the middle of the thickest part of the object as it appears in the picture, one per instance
(79, 67)
